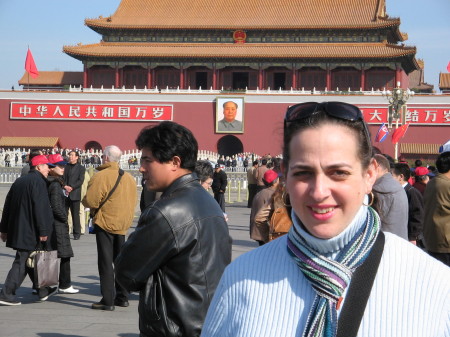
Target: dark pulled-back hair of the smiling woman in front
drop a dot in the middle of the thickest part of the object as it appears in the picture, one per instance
(320, 118)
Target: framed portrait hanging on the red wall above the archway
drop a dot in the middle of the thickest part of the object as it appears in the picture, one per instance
(230, 115)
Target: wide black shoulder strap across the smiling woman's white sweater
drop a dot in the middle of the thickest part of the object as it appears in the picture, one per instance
(359, 291)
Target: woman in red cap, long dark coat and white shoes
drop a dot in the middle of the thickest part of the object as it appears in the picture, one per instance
(58, 200)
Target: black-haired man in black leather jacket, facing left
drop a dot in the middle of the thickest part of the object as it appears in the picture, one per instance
(181, 246)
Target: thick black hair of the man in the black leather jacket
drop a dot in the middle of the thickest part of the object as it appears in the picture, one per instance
(167, 140)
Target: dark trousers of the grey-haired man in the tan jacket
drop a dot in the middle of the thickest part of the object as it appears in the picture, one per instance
(108, 247)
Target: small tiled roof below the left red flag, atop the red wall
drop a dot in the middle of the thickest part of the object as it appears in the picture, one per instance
(53, 78)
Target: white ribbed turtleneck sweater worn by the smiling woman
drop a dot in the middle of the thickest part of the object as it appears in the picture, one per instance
(264, 294)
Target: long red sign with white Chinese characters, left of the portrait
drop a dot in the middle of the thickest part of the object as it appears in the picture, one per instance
(94, 111)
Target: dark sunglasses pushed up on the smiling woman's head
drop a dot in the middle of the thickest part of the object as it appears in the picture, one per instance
(338, 110)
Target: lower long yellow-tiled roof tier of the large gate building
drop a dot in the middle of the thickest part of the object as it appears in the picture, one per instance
(241, 51)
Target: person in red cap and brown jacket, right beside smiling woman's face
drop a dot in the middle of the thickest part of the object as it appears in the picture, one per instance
(261, 199)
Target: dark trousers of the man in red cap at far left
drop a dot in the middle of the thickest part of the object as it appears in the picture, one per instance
(16, 275)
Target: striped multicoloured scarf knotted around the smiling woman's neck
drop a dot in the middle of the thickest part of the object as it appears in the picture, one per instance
(329, 278)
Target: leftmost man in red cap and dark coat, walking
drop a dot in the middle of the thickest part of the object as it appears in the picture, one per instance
(27, 219)
